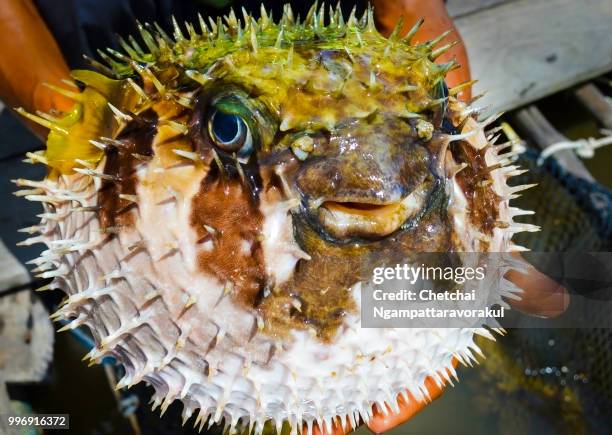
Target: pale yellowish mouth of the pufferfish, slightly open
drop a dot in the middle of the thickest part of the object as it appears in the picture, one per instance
(368, 219)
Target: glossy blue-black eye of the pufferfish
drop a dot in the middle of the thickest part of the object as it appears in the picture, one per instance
(230, 133)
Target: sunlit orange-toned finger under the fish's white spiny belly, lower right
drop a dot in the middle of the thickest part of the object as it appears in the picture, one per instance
(382, 422)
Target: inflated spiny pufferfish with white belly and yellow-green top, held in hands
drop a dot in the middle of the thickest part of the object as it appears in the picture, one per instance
(214, 197)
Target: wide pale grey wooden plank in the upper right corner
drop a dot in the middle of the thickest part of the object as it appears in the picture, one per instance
(523, 50)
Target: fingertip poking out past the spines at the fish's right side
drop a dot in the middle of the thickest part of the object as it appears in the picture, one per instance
(542, 296)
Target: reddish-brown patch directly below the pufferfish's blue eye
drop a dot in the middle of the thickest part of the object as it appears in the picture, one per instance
(225, 206)
